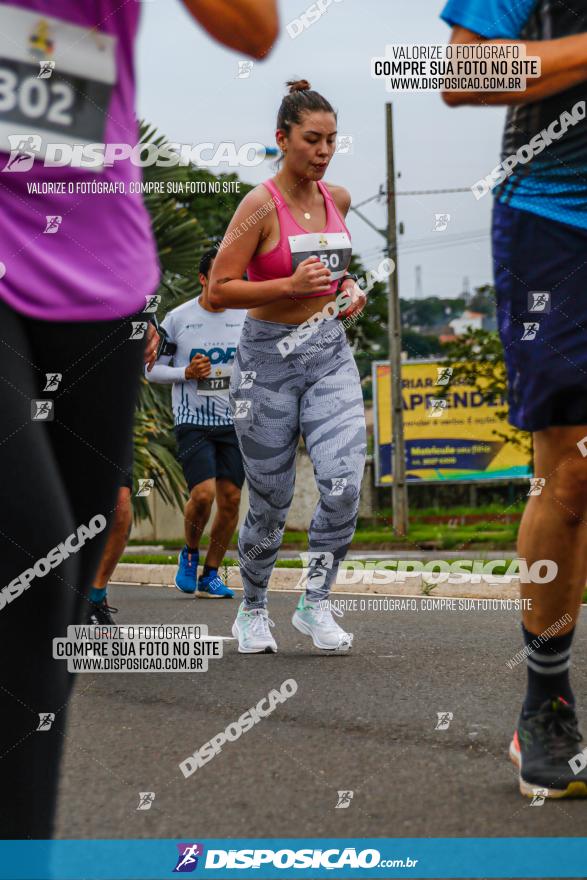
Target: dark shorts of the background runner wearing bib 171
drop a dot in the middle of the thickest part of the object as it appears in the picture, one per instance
(208, 453)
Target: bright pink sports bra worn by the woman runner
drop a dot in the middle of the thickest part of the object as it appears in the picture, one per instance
(332, 245)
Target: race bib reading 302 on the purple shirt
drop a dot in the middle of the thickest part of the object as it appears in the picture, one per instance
(56, 80)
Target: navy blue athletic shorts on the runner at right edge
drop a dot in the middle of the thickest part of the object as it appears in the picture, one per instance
(544, 338)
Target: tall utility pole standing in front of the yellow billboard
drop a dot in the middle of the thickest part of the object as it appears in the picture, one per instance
(399, 485)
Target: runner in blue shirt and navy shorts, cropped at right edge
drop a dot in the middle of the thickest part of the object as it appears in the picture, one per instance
(540, 267)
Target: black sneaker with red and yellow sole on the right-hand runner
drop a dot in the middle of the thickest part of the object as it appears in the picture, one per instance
(546, 749)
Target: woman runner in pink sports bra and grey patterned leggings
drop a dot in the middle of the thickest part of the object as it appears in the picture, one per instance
(290, 236)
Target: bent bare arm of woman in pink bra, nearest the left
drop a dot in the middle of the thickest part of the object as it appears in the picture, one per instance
(243, 236)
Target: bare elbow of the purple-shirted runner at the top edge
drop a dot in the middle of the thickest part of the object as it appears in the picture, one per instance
(249, 26)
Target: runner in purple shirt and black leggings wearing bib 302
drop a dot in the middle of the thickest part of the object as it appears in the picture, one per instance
(77, 262)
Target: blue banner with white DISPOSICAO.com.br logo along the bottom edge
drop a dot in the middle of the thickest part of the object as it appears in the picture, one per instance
(274, 859)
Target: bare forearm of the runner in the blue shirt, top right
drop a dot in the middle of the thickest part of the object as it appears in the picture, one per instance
(563, 63)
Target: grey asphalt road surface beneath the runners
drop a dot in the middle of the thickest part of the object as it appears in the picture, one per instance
(363, 722)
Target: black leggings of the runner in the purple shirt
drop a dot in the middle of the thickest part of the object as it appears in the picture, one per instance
(55, 476)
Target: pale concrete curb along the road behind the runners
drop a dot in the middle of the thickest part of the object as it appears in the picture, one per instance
(500, 587)
